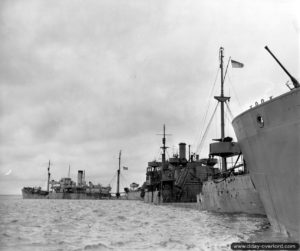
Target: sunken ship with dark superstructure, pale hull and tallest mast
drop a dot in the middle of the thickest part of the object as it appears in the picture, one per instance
(194, 180)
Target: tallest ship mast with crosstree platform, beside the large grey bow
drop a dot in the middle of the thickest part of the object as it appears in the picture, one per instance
(222, 99)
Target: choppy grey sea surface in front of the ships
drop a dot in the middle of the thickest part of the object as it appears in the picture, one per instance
(121, 225)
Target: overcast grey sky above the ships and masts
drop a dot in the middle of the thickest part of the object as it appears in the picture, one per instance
(81, 80)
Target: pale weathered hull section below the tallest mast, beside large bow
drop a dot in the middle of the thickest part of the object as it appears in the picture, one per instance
(235, 194)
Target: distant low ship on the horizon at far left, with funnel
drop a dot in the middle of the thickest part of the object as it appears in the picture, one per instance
(66, 188)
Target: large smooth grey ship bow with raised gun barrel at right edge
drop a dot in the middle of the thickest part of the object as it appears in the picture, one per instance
(269, 137)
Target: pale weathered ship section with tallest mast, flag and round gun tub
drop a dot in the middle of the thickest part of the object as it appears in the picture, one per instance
(231, 190)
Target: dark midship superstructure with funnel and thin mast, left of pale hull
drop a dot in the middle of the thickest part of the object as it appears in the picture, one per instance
(178, 179)
